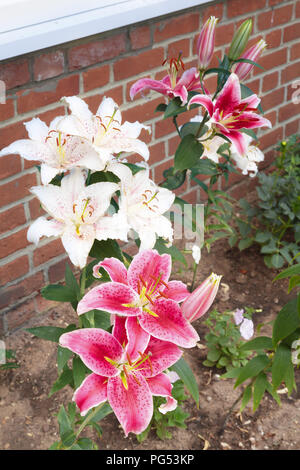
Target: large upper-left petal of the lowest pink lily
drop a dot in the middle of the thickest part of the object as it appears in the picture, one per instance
(97, 349)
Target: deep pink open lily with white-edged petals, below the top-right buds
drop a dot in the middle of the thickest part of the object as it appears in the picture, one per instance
(229, 113)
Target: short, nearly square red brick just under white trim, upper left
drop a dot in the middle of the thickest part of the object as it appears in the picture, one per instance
(48, 65)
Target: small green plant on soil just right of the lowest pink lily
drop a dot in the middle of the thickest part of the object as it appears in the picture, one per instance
(162, 423)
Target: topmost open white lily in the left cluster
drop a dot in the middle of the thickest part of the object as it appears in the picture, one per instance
(104, 130)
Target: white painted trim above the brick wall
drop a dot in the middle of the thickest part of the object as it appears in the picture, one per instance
(40, 24)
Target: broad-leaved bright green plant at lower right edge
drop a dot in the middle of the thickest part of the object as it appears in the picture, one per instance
(275, 358)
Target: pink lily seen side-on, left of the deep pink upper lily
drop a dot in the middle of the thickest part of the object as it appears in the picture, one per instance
(171, 85)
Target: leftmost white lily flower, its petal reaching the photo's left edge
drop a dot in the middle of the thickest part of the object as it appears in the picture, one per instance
(56, 150)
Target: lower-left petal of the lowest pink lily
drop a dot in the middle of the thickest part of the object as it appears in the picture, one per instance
(91, 392)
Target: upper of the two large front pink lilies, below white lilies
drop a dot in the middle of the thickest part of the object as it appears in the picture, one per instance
(145, 292)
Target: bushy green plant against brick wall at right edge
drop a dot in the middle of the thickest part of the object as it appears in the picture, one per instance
(274, 222)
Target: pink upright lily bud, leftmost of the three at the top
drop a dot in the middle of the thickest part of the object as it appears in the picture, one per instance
(206, 42)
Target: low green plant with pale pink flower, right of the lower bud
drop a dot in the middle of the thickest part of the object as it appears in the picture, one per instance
(224, 340)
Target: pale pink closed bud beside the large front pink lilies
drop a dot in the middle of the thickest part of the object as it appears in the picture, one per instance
(200, 300)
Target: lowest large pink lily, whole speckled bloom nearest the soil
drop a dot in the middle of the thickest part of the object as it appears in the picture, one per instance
(120, 374)
